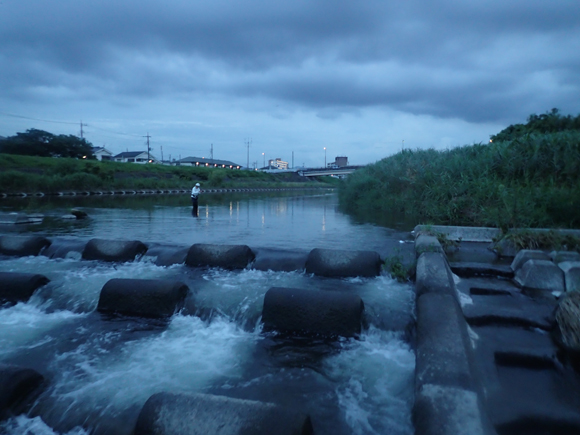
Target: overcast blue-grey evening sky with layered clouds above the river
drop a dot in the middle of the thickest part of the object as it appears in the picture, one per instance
(357, 77)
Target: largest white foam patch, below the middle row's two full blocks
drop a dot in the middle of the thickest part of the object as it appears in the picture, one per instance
(186, 357)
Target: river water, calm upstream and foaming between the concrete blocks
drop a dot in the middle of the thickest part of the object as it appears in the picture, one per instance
(100, 371)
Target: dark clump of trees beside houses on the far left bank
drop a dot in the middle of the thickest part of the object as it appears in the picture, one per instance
(44, 144)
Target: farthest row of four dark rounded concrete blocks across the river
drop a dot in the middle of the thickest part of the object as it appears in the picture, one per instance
(322, 262)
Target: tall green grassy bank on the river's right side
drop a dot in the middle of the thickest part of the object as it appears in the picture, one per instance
(530, 181)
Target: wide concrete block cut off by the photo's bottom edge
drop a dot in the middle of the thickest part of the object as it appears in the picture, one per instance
(203, 414)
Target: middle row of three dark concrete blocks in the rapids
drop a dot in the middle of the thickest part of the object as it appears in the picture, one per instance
(290, 310)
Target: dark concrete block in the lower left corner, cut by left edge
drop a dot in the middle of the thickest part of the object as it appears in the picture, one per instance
(19, 387)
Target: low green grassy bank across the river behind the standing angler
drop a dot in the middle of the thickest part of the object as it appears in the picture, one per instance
(45, 174)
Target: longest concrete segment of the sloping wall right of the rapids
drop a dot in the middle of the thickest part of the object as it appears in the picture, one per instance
(442, 344)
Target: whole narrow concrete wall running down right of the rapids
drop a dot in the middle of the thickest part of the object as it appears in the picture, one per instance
(448, 397)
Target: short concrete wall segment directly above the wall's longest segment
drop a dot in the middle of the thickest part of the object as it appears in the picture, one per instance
(433, 275)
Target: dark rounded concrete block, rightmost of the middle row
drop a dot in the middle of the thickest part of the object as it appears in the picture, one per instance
(308, 312)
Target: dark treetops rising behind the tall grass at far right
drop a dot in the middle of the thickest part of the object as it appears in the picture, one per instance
(549, 122)
